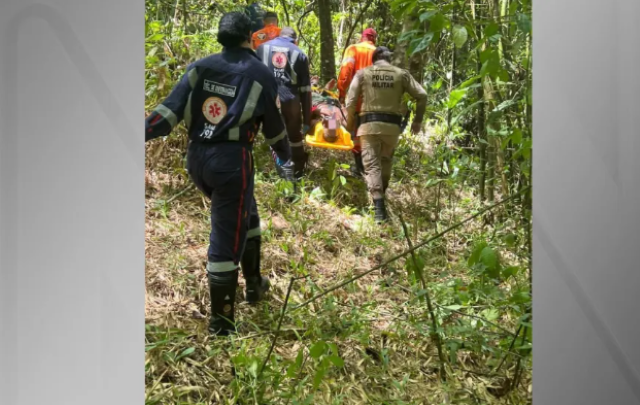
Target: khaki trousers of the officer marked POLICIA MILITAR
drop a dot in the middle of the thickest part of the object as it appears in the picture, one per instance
(377, 154)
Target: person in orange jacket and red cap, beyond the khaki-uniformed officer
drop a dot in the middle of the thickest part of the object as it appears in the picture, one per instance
(357, 56)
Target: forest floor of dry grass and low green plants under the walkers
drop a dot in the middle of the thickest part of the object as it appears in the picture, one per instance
(369, 342)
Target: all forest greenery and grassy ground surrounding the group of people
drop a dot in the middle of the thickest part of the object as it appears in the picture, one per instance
(372, 341)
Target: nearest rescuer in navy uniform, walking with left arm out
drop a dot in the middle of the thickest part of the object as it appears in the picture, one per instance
(223, 99)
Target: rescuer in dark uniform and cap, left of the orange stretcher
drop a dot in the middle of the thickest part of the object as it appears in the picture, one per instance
(290, 66)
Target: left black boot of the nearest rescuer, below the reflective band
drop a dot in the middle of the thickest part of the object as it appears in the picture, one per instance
(222, 291)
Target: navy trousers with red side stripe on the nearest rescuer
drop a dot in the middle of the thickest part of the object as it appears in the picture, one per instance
(225, 173)
